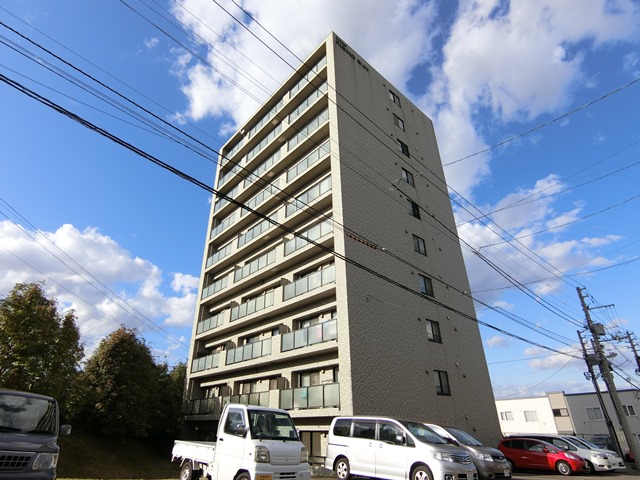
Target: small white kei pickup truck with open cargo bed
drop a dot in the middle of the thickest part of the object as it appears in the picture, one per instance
(253, 443)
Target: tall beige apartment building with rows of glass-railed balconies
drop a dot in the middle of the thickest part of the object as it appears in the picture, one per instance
(340, 287)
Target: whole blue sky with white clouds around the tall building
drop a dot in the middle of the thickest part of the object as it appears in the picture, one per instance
(121, 240)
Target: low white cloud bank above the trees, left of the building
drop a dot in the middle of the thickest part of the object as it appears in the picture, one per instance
(90, 273)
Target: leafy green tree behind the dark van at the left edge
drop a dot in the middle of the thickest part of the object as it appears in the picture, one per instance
(40, 348)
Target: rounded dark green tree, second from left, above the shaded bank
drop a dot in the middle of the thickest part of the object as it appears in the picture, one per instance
(126, 384)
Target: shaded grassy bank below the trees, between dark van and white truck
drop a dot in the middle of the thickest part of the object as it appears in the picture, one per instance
(87, 457)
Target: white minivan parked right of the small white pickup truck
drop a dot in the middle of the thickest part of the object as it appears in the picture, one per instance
(393, 449)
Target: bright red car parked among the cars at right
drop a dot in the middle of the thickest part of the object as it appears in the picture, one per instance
(528, 453)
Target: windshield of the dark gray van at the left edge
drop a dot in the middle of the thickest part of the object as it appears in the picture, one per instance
(22, 414)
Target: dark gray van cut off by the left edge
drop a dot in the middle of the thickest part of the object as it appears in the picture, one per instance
(29, 429)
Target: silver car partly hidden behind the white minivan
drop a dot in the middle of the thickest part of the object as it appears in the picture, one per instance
(490, 462)
